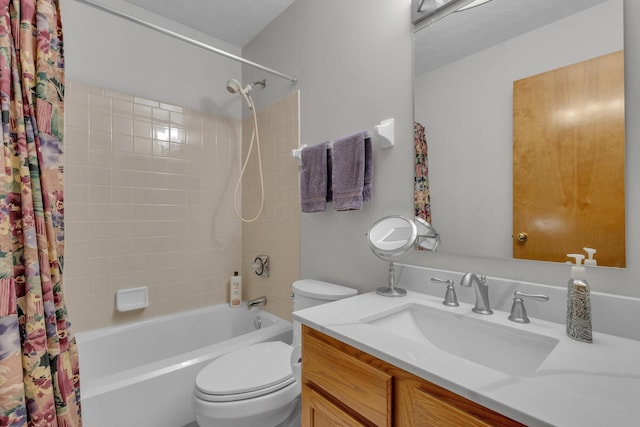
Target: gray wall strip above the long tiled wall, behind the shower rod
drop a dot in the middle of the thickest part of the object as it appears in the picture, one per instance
(110, 52)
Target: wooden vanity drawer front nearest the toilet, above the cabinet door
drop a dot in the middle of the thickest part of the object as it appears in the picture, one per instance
(354, 383)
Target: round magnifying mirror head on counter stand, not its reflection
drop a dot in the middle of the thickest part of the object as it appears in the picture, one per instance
(392, 237)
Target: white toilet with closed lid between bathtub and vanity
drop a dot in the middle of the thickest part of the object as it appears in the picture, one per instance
(255, 386)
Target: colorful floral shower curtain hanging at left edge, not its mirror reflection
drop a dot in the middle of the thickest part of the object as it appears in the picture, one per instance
(39, 380)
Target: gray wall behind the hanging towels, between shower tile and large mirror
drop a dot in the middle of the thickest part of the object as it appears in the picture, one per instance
(353, 60)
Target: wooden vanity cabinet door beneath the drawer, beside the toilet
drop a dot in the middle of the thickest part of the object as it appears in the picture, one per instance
(320, 412)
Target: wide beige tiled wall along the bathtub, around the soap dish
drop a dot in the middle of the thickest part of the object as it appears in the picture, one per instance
(149, 202)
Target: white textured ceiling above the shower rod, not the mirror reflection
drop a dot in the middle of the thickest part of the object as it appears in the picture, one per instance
(234, 21)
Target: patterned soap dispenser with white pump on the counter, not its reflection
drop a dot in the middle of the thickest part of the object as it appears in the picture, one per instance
(578, 303)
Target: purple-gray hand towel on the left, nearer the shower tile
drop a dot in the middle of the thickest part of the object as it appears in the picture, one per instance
(313, 178)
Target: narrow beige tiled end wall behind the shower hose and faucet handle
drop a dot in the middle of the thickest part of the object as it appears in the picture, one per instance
(276, 232)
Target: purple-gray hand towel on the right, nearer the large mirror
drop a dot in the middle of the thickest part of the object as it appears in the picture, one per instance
(347, 177)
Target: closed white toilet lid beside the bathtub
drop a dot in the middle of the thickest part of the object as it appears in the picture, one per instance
(247, 372)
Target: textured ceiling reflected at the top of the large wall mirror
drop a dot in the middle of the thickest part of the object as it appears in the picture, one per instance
(462, 33)
